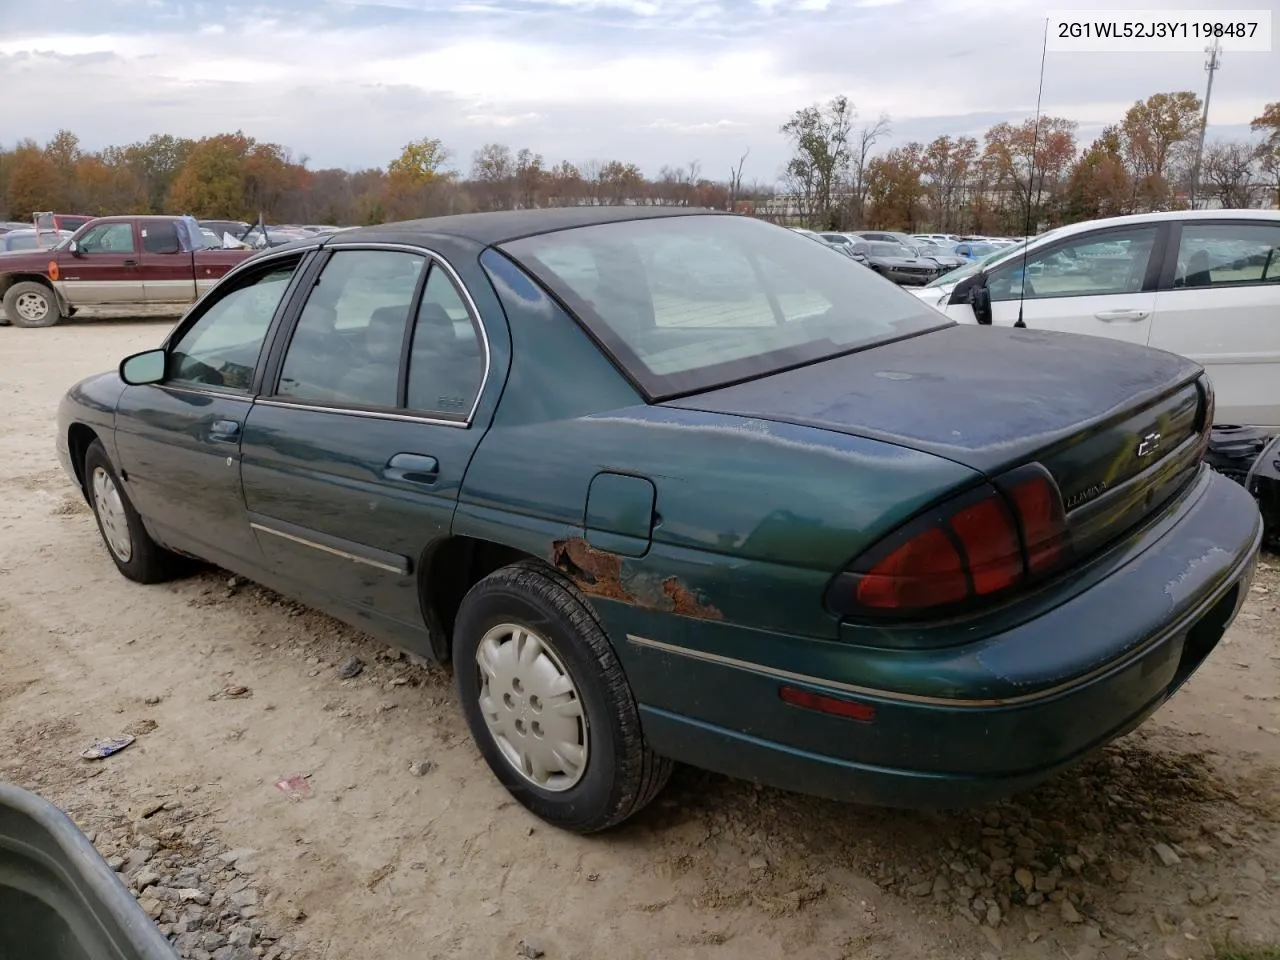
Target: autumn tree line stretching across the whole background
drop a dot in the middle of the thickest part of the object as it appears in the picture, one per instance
(835, 177)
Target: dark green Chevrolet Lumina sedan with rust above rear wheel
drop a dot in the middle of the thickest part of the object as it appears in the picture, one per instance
(678, 486)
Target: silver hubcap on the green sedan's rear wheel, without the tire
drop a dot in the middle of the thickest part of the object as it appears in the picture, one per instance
(532, 707)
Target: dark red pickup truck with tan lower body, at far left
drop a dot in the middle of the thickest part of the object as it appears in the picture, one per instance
(115, 264)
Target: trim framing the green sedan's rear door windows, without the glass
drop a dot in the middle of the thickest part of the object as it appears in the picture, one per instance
(268, 394)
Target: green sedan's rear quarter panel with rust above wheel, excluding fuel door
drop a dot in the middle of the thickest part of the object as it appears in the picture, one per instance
(752, 518)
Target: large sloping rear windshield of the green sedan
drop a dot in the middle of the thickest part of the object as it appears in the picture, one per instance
(688, 304)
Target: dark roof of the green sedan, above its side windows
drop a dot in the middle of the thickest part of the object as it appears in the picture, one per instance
(506, 226)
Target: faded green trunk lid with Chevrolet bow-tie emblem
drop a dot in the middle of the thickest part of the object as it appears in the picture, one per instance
(1119, 427)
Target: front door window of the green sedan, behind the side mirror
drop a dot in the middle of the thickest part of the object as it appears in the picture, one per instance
(222, 348)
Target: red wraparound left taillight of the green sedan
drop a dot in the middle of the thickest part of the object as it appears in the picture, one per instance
(972, 548)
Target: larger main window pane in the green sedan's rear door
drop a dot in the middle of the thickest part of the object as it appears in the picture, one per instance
(346, 349)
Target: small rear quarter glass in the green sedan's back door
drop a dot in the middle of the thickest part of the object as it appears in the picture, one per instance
(447, 362)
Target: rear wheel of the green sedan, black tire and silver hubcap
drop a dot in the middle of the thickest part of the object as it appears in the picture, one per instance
(548, 705)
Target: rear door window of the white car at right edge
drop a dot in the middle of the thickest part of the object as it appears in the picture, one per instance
(1217, 255)
